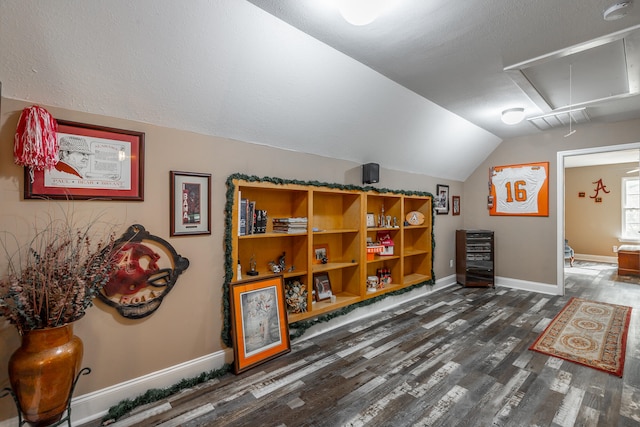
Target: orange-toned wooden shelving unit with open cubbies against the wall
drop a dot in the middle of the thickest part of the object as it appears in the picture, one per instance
(336, 220)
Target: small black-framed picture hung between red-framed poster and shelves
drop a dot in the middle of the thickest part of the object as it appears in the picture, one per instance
(190, 203)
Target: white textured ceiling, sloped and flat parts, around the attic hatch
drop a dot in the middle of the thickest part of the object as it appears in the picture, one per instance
(419, 90)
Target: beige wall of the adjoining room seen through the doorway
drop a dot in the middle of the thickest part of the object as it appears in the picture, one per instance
(594, 228)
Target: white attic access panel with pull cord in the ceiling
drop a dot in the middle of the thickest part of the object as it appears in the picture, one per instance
(597, 73)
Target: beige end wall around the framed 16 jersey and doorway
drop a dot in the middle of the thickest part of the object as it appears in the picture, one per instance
(526, 247)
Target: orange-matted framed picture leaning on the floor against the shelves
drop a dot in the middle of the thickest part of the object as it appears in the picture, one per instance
(260, 330)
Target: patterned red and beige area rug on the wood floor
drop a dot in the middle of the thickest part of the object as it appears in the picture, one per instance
(590, 333)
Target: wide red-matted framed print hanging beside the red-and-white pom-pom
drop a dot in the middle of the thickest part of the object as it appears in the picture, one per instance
(95, 162)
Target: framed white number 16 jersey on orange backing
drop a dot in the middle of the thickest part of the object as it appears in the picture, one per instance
(520, 190)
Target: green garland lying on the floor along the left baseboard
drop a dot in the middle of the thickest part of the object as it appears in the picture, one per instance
(156, 394)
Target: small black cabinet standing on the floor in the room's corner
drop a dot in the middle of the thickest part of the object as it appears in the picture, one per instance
(474, 258)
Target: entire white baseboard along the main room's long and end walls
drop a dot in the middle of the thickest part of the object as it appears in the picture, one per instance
(91, 406)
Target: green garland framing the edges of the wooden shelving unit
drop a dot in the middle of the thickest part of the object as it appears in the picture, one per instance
(301, 326)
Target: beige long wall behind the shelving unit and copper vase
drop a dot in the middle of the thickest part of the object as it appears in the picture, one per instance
(188, 323)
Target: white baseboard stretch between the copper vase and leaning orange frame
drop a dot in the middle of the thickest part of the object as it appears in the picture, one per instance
(91, 406)
